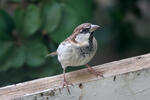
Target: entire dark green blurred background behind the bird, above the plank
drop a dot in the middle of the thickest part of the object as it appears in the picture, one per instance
(30, 29)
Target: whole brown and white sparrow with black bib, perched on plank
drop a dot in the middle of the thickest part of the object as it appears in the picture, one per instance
(78, 49)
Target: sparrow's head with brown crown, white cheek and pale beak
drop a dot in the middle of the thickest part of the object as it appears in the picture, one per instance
(84, 32)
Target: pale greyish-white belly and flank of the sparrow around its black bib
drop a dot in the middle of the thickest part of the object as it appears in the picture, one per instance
(69, 55)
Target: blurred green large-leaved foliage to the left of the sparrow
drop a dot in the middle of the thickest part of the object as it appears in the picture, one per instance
(32, 30)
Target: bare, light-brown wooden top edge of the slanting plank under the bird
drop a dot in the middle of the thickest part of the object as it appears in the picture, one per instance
(81, 76)
